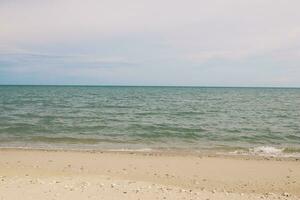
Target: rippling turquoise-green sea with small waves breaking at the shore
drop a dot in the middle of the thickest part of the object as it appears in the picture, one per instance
(237, 120)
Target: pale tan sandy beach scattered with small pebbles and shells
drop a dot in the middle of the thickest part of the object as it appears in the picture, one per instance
(40, 174)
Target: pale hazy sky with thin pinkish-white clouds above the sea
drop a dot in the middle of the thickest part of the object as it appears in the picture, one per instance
(157, 42)
